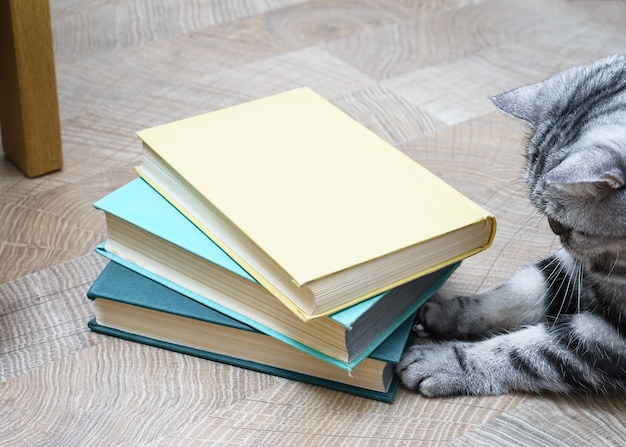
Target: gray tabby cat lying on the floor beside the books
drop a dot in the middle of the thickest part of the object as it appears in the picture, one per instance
(560, 324)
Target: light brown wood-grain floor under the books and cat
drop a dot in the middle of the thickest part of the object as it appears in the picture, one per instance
(417, 72)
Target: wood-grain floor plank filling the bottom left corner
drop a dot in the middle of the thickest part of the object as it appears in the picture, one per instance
(118, 393)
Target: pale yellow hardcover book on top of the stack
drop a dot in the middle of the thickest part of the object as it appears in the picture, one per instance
(316, 207)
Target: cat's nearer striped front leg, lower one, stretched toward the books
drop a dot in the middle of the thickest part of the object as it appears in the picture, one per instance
(583, 353)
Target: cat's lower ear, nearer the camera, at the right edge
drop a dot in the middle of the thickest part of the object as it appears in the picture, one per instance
(594, 170)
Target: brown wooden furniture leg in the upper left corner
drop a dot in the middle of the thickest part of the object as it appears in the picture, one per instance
(29, 111)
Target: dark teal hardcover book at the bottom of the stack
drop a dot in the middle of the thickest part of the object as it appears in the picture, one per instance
(130, 306)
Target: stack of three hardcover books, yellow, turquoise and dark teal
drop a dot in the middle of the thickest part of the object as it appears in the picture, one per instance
(280, 235)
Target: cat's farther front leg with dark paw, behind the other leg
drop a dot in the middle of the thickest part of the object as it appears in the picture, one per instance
(517, 301)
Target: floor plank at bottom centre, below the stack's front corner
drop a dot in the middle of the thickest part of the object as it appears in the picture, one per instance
(294, 414)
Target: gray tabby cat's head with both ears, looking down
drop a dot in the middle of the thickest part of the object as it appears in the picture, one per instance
(576, 153)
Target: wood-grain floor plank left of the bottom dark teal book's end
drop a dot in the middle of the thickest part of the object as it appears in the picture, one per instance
(44, 316)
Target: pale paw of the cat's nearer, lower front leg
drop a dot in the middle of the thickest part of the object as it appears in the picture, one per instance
(434, 370)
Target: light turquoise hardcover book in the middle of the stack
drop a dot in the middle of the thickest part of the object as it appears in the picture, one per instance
(148, 235)
